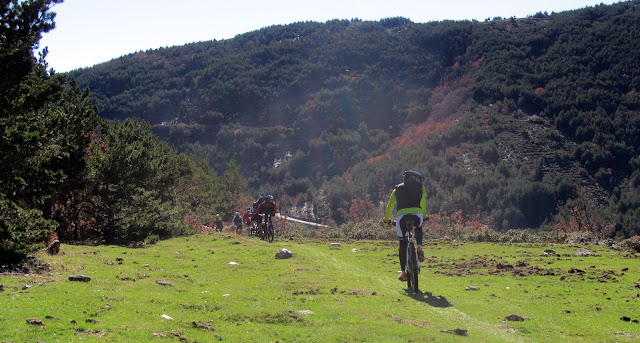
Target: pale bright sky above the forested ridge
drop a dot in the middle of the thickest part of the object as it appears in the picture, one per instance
(94, 31)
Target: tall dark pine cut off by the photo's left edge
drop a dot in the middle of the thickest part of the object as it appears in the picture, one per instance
(44, 126)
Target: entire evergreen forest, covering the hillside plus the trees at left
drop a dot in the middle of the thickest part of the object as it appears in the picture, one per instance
(517, 123)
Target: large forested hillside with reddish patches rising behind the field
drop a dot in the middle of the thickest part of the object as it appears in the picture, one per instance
(517, 123)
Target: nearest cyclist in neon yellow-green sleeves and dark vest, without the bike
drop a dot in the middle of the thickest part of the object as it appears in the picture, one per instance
(410, 198)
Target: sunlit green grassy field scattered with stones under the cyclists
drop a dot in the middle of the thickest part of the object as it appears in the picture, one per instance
(323, 294)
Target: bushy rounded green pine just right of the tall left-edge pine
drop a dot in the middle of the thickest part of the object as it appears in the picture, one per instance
(132, 178)
